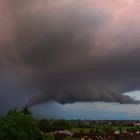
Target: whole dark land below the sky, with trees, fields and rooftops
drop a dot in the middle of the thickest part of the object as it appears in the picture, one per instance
(20, 125)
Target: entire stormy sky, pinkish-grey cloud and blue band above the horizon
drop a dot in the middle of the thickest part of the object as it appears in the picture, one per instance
(71, 59)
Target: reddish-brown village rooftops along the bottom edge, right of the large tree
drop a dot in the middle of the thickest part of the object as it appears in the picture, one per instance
(67, 135)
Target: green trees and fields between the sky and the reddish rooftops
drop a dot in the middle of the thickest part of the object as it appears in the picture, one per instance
(20, 125)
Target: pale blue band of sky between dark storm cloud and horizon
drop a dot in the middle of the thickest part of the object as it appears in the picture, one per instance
(87, 110)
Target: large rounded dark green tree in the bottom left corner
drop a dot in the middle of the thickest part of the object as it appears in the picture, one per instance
(19, 126)
